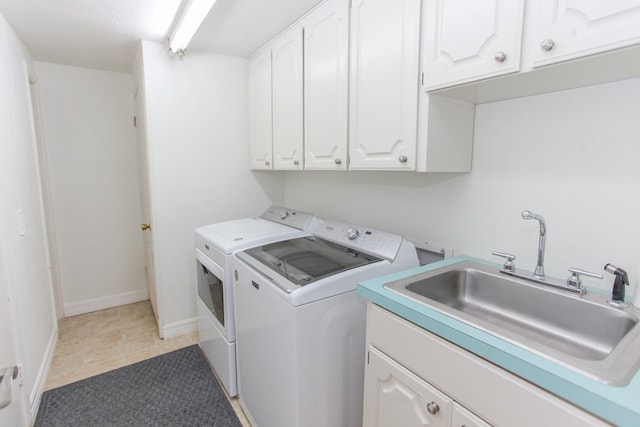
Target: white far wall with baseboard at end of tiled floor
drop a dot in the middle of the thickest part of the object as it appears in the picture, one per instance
(92, 160)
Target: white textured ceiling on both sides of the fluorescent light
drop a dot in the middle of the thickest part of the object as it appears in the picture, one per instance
(104, 34)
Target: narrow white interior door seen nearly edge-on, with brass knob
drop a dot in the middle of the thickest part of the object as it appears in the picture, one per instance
(145, 201)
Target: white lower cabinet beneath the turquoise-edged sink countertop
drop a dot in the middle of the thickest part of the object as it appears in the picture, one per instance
(415, 378)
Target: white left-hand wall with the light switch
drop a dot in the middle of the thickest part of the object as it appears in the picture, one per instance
(25, 261)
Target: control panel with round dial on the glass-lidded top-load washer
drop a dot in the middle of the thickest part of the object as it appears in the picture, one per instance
(375, 242)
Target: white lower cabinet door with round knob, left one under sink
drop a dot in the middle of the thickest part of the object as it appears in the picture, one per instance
(396, 397)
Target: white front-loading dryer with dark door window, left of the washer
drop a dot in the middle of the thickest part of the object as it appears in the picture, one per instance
(215, 245)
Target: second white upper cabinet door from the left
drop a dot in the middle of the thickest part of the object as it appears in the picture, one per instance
(287, 99)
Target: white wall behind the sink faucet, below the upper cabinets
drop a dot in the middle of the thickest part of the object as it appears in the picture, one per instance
(572, 156)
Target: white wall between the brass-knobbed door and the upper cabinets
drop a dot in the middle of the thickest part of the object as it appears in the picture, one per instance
(198, 164)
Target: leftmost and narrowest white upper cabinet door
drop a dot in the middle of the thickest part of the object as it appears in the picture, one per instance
(260, 124)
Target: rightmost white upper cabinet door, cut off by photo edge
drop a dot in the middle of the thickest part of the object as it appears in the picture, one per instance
(575, 28)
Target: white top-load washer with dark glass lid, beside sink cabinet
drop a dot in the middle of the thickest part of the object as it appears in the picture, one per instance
(301, 325)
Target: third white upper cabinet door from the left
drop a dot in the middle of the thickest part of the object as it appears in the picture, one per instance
(326, 79)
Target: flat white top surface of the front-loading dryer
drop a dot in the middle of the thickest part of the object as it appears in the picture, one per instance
(233, 235)
